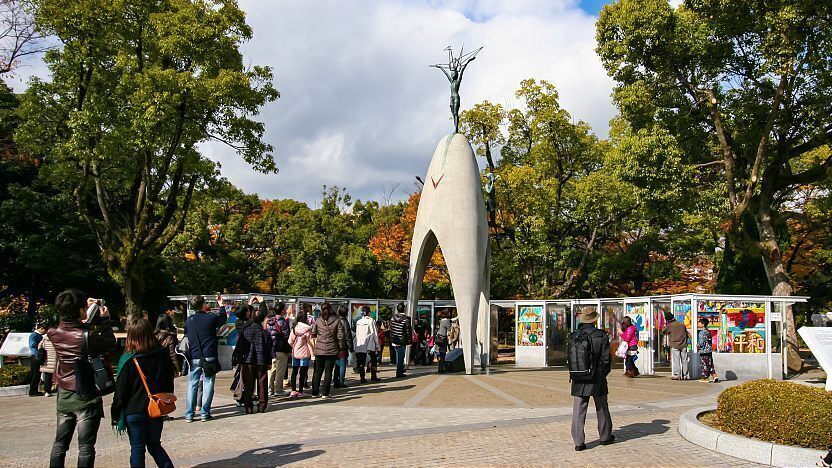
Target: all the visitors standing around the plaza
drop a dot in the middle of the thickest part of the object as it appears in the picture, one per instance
(273, 350)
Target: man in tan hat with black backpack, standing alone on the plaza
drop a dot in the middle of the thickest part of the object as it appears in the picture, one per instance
(589, 365)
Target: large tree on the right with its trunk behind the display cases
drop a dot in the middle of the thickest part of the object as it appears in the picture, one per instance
(746, 88)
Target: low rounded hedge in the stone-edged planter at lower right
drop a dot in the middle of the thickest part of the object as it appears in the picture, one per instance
(781, 412)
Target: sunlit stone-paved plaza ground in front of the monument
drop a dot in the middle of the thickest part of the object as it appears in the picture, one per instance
(511, 417)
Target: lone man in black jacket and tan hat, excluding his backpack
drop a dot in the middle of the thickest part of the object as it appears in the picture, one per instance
(595, 386)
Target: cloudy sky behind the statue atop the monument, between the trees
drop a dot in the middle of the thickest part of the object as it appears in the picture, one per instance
(361, 109)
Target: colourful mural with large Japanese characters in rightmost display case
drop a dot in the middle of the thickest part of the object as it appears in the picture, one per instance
(736, 327)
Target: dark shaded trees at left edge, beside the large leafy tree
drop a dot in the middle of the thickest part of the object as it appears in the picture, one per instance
(43, 245)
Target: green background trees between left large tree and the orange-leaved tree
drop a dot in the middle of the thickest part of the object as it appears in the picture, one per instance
(237, 243)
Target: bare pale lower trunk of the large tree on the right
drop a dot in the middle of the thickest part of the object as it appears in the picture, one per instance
(778, 280)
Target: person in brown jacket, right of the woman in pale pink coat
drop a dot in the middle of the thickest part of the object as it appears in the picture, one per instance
(330, 340)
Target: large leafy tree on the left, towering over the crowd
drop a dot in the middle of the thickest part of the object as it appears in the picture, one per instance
(136, 88)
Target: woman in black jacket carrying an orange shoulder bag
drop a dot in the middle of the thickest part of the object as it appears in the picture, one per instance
(129, 409)
